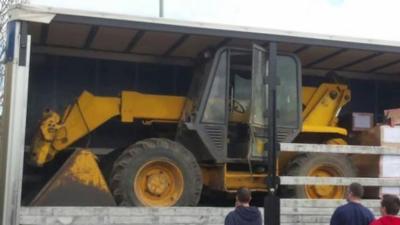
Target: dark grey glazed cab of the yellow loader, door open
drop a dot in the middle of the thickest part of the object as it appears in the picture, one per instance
(225, 116)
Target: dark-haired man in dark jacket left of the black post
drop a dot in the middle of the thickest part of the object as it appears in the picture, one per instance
(243, 214)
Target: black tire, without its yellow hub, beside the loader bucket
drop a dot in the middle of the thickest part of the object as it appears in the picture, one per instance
(134, 157)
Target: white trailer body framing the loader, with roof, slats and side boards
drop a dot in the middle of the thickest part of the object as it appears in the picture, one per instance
(380, 59)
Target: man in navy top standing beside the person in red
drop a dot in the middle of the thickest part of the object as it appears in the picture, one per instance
(353, 213)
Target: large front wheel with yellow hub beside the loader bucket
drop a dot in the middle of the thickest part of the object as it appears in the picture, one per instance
(156, 172)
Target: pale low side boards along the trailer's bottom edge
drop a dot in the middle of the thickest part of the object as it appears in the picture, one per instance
(293, 212)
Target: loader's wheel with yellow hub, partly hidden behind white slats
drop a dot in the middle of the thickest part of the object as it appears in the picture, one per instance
(318, 165)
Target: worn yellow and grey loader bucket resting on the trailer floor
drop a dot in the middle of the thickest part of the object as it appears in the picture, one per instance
(79, 182)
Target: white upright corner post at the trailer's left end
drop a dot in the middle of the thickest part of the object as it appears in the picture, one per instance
(12, 143)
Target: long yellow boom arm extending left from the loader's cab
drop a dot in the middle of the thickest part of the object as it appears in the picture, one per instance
(89, 112)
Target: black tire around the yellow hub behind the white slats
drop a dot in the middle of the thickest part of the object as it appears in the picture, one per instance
(302, 164)
